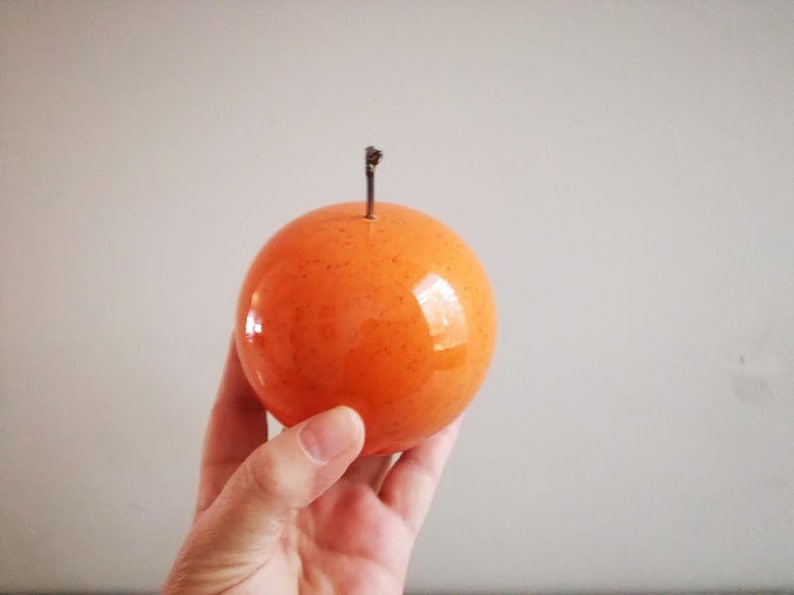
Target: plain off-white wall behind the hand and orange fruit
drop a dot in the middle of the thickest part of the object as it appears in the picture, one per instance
(624, 170)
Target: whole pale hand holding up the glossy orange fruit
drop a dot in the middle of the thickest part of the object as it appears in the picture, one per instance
(302, 513)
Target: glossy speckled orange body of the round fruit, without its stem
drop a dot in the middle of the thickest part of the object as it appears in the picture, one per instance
(394, 317)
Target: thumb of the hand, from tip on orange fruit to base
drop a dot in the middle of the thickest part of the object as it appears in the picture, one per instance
(238, 533)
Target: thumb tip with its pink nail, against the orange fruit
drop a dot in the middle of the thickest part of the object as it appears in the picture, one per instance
(329, 434)
